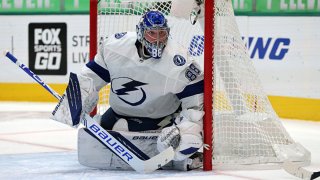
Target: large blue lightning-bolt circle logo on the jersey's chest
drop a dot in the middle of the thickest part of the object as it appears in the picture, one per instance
(129, 90)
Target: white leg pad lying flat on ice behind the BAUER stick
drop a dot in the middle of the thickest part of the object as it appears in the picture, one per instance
(92, 153)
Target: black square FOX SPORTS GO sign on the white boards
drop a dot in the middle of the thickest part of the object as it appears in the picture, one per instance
(48, 48)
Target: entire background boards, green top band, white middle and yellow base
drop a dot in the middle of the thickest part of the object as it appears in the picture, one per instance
(52, 38)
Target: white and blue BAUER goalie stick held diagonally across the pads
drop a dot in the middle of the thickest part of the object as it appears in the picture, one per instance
(138, 164)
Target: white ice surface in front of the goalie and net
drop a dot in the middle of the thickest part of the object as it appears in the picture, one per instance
(34, 147)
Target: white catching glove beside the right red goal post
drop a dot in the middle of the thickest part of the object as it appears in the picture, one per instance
(185, 137)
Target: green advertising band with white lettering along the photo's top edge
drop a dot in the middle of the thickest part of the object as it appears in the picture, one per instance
(243, 7)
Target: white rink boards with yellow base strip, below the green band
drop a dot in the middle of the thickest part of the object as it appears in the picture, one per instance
(285, 51)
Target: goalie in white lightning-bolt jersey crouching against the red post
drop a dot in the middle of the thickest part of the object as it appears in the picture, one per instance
(156, 98)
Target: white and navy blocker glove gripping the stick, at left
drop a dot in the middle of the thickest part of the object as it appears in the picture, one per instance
(79, 98)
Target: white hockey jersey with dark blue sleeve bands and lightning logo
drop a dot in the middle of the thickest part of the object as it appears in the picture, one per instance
(152, 88)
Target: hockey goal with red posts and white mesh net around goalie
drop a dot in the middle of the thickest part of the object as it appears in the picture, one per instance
(241, 129)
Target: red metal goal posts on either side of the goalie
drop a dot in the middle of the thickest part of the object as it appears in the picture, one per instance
(208, 72)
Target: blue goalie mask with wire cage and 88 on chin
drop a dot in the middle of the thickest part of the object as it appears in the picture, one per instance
(153, 33)
